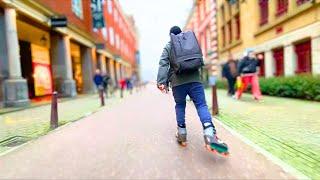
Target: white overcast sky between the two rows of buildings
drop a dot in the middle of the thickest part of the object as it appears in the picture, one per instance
(154, 19)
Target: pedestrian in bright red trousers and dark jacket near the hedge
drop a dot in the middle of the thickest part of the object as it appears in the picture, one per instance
(247, 70)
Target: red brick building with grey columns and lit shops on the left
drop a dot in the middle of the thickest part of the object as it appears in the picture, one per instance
(36, 58)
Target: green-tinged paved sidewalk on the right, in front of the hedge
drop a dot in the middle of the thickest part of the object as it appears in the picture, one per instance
(287, 128)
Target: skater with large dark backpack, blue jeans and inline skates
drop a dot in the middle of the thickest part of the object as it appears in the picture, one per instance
(184, 78)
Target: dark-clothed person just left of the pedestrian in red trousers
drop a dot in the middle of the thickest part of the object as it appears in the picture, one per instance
(230, 72)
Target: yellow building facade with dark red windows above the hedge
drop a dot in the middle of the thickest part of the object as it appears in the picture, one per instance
(285, 32)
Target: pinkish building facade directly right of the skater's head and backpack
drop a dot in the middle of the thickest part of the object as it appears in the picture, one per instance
(202, 20)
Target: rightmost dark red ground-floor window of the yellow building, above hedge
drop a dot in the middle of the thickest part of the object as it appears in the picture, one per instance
(303, 52)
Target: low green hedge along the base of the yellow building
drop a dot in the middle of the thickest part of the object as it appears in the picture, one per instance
(302, 86)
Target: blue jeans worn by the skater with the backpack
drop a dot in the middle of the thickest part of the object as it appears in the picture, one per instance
(195, 91)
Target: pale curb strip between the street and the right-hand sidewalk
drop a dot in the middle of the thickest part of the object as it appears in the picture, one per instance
(287, 168)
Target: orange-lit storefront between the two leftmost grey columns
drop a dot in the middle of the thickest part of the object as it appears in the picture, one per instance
(34, 45)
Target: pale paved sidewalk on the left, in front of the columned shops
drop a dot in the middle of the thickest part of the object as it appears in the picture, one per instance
(19, 126)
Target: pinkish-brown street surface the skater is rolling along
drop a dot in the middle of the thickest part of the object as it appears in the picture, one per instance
(135, 139)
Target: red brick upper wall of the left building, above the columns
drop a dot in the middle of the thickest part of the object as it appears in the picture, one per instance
(64, 7)
